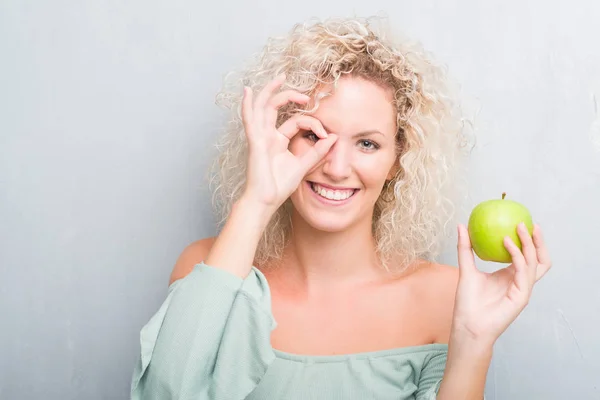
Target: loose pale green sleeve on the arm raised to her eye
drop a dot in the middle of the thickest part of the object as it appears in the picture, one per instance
(210, 339)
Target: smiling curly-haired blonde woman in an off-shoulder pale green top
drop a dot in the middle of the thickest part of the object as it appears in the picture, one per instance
(333, 182)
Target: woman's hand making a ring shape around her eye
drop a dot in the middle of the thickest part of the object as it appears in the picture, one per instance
(274, 173)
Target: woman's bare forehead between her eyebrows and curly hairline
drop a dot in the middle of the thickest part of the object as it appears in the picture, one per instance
(358, 105)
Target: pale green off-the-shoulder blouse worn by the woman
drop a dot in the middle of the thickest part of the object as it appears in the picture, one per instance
(210, 339)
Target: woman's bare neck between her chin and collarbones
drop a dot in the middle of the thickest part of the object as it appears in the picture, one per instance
(316, 259)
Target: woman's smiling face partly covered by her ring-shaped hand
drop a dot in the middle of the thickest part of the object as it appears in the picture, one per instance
(341, 191)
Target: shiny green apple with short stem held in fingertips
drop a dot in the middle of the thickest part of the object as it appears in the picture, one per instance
(491, 221)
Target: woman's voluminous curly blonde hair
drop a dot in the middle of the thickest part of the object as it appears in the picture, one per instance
(414, 210)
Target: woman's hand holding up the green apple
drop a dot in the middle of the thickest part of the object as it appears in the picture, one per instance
(487, 303)
